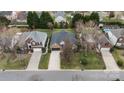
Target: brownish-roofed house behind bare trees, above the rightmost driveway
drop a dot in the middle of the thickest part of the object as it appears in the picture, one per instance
(95, 42)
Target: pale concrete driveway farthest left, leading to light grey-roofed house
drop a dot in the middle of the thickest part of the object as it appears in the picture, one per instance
(34, 60)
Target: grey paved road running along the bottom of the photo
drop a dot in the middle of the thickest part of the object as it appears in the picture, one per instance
(66, 75)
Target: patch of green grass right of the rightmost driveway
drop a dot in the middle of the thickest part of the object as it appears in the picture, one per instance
(118, 54)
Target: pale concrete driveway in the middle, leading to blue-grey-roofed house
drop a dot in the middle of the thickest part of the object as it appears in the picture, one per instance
(54, 63)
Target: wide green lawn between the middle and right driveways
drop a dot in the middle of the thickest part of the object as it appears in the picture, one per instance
(94, 62)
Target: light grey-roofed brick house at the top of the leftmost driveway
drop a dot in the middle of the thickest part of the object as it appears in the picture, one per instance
(32, 40)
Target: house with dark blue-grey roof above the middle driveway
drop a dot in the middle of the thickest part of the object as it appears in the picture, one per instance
(58, 39)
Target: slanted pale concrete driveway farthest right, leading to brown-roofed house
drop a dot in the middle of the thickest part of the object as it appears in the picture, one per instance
(109, 60)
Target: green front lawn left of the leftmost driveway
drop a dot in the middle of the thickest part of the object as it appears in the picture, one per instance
(7, 62)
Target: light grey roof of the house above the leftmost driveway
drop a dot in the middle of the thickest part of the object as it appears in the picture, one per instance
(35, 35)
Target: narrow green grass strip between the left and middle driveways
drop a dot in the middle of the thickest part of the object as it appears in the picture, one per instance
(44, 61)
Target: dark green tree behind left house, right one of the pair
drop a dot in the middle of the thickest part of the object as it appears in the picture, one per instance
(45, 18)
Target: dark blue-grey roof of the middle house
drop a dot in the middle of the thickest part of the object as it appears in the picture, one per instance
(57, 37)
